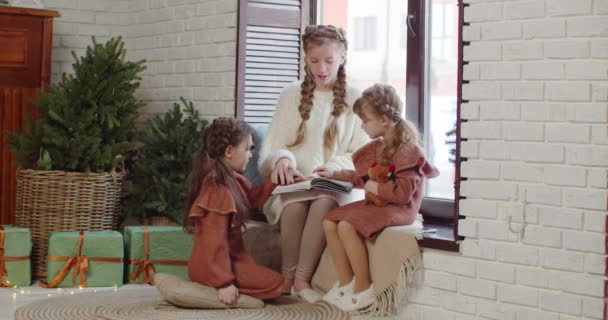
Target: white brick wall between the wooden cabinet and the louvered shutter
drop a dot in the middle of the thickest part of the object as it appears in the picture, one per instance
(189, 46)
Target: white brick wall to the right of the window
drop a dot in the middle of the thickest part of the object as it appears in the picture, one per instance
(536, 143)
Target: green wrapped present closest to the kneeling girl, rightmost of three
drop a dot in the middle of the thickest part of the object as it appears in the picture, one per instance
(157, 249)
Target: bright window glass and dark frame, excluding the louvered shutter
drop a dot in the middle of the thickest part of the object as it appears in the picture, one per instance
(426, 72)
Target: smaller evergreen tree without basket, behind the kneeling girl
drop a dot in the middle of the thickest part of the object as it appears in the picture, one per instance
(163, 164)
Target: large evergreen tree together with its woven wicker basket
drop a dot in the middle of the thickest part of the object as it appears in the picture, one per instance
(68, 157)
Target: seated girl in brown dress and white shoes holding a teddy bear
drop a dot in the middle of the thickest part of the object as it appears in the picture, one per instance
(396, 146)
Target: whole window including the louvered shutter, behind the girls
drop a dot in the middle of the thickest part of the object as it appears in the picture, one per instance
(413, 45)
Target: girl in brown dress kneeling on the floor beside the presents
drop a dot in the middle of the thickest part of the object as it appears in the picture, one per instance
(218, 203)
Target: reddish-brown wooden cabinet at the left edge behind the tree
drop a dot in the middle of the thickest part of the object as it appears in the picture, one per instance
(25, 63)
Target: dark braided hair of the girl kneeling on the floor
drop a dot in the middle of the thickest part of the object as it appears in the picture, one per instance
(209, 160)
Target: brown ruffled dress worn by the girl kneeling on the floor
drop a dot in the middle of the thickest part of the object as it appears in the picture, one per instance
(218, 256)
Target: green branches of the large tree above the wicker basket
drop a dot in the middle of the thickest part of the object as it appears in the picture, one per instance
(87, 121)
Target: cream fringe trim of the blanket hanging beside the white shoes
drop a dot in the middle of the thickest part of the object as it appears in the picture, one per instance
(393, 297)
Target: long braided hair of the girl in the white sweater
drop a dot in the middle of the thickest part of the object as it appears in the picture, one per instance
(316, 35)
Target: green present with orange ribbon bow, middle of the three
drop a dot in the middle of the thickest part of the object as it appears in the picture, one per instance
(85, 259)
